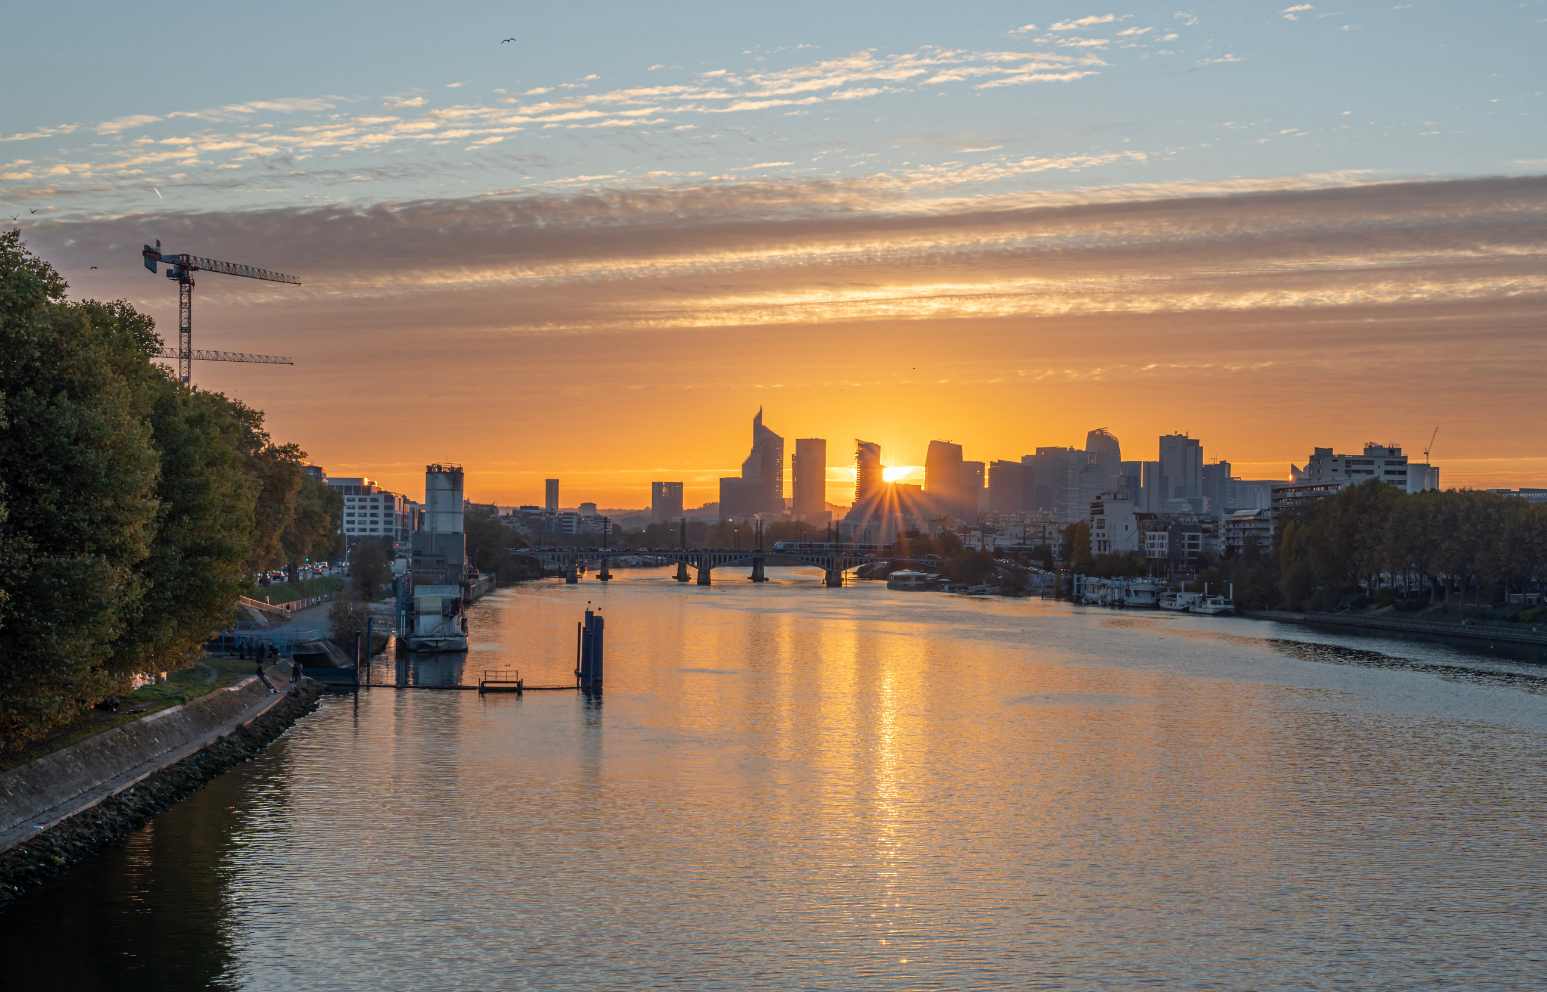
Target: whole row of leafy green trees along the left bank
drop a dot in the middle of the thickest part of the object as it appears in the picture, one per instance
(134, 511)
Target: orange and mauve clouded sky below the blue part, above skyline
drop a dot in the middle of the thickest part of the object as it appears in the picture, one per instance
(616, 341)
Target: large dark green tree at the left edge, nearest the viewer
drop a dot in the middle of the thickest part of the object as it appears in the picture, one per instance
(81, 474)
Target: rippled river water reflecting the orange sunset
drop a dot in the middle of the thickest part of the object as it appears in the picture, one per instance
(791, 787)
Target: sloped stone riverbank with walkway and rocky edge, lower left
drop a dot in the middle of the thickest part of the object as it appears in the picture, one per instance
(64, 807)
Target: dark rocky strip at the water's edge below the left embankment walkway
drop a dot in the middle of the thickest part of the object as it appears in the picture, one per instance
(52, 853)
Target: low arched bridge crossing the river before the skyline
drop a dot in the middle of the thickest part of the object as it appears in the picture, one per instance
(705, 561)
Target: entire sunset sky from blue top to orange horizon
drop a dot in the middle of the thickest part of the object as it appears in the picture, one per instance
(595, 251)
